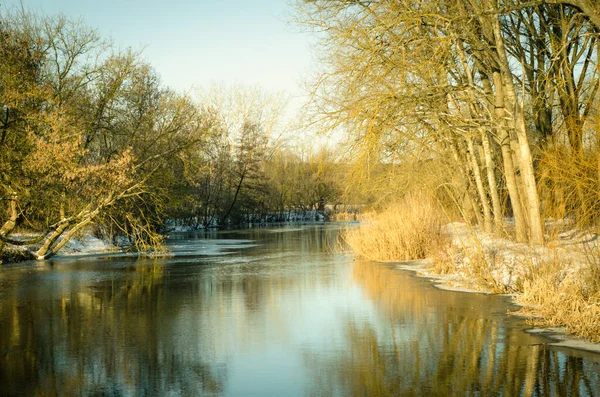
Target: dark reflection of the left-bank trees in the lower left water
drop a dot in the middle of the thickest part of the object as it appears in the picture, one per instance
(104, 341)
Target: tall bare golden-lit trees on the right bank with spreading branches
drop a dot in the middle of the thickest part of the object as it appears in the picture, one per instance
(486, 89)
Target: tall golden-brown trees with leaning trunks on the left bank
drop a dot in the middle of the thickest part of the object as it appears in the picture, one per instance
(85, 130)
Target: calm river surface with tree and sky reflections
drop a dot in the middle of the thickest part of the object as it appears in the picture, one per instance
(267, 312)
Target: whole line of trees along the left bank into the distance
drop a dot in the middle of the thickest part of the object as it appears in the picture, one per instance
(91, 141)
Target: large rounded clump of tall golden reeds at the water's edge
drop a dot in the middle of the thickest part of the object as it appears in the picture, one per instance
(410, 229)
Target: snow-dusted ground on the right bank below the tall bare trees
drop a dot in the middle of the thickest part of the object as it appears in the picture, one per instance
(509, 263)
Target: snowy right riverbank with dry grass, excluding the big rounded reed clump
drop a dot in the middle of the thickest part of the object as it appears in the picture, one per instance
(555, 285)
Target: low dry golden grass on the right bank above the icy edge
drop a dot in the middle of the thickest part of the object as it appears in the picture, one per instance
(556, 290)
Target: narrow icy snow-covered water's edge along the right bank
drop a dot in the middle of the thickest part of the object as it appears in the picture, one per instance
(451, 282)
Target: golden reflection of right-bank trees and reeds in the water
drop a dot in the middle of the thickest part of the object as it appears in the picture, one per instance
(431, 343)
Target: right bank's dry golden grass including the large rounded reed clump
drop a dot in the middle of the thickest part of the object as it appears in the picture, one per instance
(558, 285)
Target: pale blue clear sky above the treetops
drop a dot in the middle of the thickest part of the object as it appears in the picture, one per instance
(196, 42)
